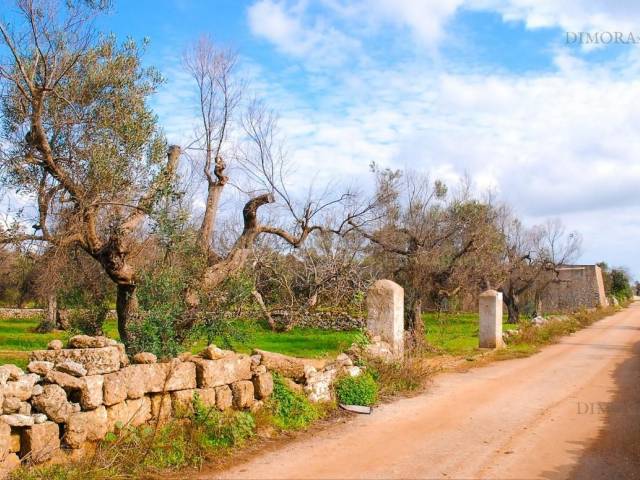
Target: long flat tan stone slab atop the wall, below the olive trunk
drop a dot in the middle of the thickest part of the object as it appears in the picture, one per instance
(96, 361)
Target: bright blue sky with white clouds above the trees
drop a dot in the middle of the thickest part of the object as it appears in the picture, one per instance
(488, 88)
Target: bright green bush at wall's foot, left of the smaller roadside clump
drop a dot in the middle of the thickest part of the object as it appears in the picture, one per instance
(291, 410)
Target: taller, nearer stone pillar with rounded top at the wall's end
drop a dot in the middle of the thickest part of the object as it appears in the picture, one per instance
(385, 314)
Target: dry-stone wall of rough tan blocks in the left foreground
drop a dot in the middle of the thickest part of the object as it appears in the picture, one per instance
(71, 396)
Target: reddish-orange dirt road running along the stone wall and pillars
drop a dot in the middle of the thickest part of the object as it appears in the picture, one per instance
(571, 411)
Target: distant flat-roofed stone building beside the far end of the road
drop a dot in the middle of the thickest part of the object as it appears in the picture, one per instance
(575, 287)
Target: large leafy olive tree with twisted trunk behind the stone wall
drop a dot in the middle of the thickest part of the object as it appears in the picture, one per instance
(79, 138)
